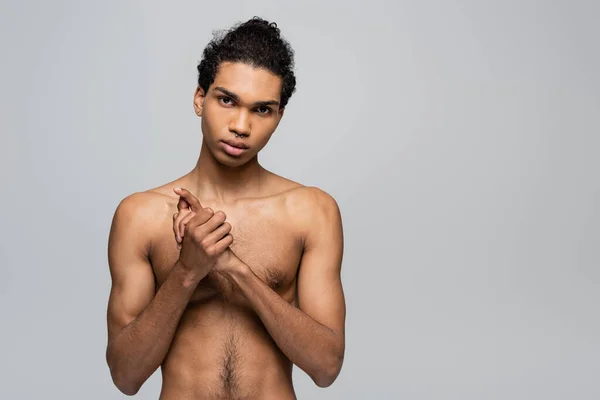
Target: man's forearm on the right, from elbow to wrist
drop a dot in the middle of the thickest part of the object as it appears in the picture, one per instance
(313, 347)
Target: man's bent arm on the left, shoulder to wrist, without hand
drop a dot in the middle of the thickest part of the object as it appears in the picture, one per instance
(141, 324)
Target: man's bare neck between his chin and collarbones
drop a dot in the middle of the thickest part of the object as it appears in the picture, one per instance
(213, 181)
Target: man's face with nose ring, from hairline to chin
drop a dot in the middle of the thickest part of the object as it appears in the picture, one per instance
(241, 107)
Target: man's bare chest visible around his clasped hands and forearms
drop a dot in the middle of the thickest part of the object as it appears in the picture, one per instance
(263, 238)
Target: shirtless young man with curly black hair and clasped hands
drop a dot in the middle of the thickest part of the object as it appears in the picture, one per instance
(230, 274)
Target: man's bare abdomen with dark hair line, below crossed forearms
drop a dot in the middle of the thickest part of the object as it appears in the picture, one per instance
(223, 351)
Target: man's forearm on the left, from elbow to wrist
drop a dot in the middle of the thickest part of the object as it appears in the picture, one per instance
(141, 346)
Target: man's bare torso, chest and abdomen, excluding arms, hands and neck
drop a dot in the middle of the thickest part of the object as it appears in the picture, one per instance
(221, 348)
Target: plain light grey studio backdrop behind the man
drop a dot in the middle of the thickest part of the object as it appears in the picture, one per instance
(460, 139)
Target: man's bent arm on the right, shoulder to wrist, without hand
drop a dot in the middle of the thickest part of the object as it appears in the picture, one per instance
(311, 336)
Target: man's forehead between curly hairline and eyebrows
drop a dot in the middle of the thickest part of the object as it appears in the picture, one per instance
(250, 83)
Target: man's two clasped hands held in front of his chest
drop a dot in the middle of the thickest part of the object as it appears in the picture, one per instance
(203, 236)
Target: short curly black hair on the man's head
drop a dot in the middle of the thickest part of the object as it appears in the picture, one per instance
(256, 42)
